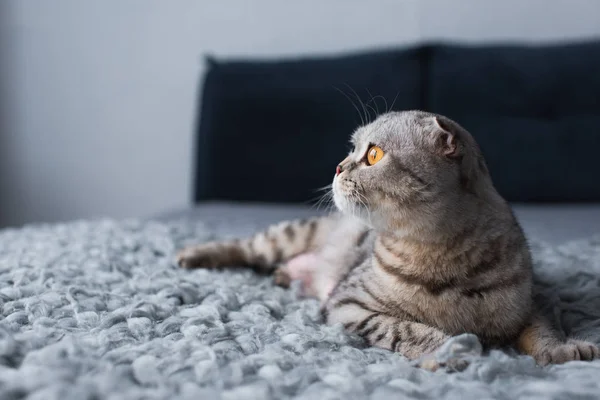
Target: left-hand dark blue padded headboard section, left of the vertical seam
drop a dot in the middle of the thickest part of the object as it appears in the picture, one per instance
(274, 131)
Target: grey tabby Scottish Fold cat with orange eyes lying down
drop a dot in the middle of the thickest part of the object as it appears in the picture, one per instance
(422, 248)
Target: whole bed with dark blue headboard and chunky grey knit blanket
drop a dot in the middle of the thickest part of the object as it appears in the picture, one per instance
(99, 309)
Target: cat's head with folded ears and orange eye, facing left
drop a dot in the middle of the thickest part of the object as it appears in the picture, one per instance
(409, 167)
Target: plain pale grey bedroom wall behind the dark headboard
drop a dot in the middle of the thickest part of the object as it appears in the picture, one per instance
(97, 99)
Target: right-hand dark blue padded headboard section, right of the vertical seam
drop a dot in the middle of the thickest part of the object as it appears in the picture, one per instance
(535, 112)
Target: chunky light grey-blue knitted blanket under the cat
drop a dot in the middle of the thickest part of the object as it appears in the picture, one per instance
(92, 310)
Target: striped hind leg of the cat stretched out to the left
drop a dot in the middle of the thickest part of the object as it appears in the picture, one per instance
(263, 251)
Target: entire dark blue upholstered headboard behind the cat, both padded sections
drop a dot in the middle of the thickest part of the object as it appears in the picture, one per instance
(274, 130)
